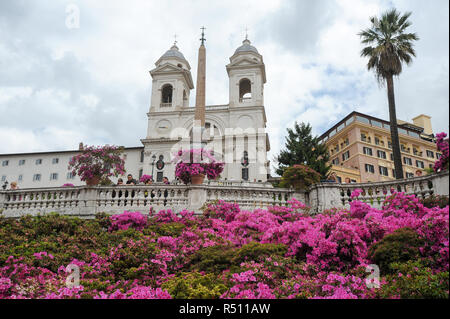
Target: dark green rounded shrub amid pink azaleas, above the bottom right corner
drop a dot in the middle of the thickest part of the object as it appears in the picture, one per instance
(400, 246)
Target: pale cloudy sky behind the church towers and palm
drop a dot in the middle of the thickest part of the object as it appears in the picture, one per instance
(60, 85)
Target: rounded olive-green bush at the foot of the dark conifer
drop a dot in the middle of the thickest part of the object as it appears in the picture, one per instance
(299, 177)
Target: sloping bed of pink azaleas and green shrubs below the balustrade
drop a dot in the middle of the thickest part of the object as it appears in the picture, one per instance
(281, 252)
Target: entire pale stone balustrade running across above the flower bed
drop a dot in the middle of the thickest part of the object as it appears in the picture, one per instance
(87, 201)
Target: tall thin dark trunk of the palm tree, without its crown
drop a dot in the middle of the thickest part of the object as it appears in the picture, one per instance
(394, 129)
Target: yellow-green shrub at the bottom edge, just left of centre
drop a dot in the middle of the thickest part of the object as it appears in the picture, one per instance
(194, 285)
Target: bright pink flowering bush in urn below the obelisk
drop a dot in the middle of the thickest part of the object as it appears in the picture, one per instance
(196, 162)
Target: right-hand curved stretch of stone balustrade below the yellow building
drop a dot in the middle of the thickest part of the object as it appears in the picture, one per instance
(326, 196)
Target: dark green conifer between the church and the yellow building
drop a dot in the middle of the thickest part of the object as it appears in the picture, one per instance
(303, 148)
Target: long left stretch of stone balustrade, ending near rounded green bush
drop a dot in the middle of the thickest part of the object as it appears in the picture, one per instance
(87, 201)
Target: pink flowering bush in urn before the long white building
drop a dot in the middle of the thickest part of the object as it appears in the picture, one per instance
(98, 161)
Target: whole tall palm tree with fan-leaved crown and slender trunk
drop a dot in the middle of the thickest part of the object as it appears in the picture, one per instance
(388, 46)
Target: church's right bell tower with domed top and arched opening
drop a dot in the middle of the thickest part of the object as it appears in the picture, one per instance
(247, 75)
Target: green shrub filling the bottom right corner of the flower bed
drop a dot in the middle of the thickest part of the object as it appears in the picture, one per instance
(412, 280)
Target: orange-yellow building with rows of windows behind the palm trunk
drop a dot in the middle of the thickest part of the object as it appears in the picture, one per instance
(361, 151)
